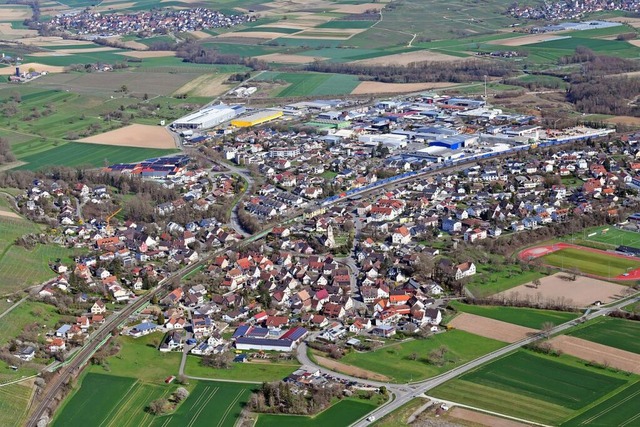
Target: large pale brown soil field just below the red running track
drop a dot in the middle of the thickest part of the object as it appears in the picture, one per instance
(582, 292)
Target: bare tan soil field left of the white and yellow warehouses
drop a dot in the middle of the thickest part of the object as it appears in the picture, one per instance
(144, 136)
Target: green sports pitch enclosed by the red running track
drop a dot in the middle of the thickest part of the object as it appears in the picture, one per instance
(599, 264)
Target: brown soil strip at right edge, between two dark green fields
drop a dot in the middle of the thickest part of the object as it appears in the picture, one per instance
(599, 353)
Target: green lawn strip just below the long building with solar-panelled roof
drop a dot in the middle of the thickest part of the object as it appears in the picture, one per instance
(258, 372)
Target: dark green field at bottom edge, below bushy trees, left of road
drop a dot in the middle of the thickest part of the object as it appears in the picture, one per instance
(342, 413)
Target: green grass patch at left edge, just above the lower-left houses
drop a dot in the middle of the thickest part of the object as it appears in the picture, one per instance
(28, 313)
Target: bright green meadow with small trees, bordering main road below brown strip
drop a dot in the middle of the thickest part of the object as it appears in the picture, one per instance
(394, 360)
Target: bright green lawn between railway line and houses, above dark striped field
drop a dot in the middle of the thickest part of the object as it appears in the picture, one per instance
(140, 358)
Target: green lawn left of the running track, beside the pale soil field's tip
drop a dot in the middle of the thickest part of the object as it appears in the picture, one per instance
(492, 279)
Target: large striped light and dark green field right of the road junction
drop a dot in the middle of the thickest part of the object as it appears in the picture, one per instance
(532, 387)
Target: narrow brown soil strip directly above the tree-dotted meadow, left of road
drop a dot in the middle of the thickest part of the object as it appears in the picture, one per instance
(490, 328)
